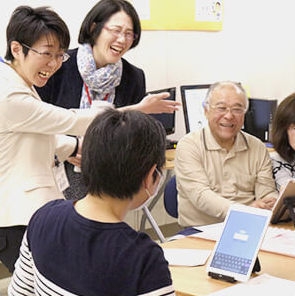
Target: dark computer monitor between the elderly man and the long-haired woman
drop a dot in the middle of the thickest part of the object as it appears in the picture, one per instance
(258, 118)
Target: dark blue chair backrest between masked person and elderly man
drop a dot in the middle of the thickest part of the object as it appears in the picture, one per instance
(170, 198)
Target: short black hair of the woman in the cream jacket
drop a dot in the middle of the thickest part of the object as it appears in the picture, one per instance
(27, 25)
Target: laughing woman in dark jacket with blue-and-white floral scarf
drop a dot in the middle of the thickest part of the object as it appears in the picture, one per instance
(97, 72)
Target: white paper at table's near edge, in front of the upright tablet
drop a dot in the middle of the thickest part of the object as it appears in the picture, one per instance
(261, 285)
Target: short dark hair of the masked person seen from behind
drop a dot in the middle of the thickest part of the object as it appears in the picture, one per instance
(119, 149)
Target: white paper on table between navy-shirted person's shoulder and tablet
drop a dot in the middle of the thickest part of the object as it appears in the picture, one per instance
(186, 257)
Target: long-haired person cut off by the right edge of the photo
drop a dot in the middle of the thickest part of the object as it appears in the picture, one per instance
(283, 139)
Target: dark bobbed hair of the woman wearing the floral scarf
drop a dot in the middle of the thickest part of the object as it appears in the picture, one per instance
(100, 14)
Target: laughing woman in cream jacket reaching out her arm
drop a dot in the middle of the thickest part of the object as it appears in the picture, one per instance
(32, 132)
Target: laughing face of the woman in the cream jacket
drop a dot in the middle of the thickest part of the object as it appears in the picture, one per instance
(36, 68)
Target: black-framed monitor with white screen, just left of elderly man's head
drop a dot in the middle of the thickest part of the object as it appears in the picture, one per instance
(192, 97)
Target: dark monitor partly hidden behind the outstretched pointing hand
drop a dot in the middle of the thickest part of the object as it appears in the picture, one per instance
(167, 119)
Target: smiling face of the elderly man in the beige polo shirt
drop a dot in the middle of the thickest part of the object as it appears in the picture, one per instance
(225, 127)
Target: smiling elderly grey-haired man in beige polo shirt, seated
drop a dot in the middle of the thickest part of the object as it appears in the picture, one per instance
(220, 164)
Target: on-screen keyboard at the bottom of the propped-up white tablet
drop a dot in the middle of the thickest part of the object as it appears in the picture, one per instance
(231, 263)
